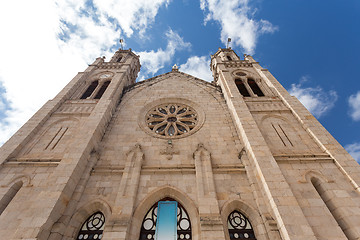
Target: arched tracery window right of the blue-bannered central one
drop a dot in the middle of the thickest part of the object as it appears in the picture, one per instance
(239, 226)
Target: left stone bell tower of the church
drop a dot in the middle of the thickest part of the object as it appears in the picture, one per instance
(57, 144)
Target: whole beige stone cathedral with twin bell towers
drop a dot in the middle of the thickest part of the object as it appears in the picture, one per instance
(175, 157)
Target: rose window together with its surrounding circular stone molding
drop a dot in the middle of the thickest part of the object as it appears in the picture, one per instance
(171, 118)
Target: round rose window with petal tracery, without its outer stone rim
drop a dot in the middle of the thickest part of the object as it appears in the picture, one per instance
(171, 120)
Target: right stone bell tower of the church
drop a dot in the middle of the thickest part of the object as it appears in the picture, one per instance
(292, 158)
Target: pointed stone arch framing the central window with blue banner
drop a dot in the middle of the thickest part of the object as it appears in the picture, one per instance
(155, 196)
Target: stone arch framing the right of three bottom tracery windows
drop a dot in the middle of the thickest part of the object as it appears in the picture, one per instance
(251, 213)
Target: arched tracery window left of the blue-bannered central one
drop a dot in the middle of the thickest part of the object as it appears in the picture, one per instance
(93, 227)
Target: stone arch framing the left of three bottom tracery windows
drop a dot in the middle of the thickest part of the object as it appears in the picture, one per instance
(83, 213)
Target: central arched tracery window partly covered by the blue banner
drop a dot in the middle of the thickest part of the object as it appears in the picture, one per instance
(148, 226)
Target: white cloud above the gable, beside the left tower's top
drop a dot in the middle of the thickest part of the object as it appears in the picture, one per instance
(152, 61)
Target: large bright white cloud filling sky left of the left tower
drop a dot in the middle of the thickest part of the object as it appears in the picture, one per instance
(45, 43)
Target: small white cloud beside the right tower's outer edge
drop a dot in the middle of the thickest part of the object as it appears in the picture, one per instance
(316, 100)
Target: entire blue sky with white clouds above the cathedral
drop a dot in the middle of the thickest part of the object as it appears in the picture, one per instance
(311, 47)
